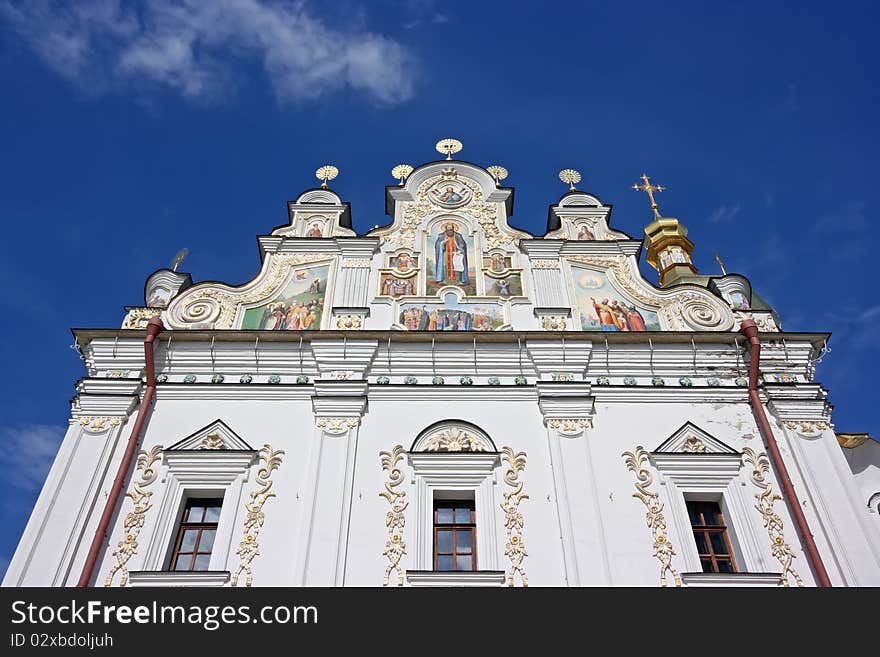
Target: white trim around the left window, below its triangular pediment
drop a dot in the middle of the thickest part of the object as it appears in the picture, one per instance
(190, 473)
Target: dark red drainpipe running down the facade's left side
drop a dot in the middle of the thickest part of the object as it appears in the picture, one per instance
(154, 327)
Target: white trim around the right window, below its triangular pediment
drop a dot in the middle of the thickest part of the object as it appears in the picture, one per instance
(689, 475)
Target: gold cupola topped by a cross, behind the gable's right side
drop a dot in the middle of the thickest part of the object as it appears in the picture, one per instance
(668, 248)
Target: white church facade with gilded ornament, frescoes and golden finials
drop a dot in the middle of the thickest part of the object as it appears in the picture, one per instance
(448, 400)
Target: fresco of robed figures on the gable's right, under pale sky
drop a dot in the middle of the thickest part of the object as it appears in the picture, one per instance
(603, 308)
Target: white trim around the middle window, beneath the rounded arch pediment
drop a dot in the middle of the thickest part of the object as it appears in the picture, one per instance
(456, 471)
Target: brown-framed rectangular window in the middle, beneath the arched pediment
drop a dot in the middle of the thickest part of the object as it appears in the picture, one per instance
(454, 535)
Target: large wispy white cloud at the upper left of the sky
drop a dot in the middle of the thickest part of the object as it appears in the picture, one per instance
(193, 47)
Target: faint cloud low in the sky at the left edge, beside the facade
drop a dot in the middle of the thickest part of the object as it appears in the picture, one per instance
(28, 452)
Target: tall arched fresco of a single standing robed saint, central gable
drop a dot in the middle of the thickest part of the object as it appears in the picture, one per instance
(450, 258)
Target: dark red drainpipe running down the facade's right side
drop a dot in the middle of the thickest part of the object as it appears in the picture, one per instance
(749, 329)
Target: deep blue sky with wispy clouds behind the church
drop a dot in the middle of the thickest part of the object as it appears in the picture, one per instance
(131, 130)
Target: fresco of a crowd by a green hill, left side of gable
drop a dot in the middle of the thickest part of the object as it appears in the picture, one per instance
(299, 306)
